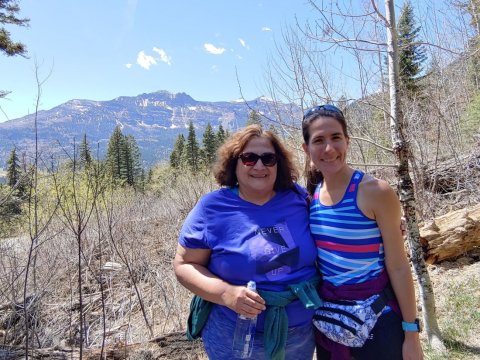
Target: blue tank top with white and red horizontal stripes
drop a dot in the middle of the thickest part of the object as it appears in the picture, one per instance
(349, 244)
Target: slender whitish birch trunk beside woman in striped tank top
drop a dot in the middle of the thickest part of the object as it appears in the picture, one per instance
(405, 185)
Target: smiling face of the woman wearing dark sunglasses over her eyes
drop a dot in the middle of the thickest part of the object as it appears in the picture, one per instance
(256, 182)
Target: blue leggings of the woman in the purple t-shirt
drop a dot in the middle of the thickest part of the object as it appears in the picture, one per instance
(217, 336)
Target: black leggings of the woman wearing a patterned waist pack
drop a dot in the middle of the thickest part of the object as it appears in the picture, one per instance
(385, 341)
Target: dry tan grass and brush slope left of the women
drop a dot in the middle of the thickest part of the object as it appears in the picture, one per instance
(138, 300)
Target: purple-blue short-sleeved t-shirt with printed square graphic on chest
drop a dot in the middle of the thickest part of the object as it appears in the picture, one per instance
(270, 244)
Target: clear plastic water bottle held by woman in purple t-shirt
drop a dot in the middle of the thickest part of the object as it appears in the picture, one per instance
(244, 332)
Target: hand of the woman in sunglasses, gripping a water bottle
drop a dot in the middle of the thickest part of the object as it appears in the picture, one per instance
(243, 301)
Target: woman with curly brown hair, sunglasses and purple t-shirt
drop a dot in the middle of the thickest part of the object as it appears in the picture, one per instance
(253, 228)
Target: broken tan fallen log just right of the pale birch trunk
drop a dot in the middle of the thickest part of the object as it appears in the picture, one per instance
(451, 235)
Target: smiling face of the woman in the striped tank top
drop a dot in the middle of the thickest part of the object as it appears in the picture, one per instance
(327, 145)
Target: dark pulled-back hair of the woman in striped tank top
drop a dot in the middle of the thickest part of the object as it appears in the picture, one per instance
(312, 175)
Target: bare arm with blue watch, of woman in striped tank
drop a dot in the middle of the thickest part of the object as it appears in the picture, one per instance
(385, 206)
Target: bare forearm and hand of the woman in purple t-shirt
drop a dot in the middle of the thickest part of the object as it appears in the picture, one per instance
(190, 266)
